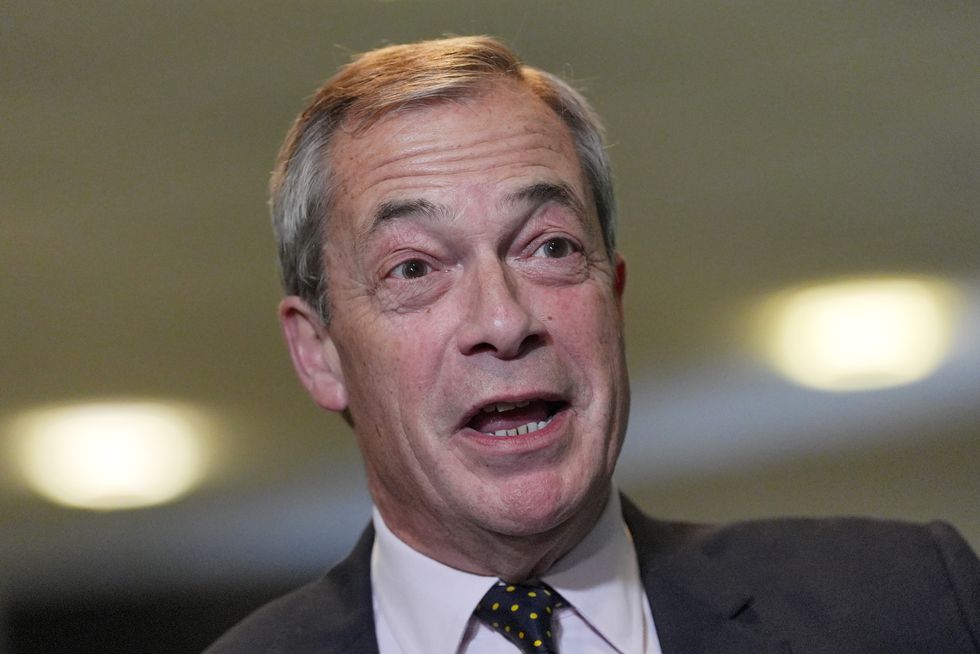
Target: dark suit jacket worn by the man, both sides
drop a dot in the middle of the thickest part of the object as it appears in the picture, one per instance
(786, 586)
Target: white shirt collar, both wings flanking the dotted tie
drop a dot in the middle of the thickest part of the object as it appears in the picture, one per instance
(428, 605)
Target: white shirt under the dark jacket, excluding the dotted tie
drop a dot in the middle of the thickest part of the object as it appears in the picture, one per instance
(423, 606)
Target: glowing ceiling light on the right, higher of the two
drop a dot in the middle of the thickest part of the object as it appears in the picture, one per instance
(860, 334)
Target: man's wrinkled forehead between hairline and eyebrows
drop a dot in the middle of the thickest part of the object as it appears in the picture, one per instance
(476, 147)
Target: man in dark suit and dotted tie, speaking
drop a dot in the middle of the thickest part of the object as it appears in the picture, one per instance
(445, 220)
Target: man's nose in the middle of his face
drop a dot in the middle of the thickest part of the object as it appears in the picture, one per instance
(496, 319)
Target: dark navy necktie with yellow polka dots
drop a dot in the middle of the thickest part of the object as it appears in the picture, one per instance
(522, 614)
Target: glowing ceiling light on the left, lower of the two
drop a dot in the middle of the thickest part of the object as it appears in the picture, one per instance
(111, 455)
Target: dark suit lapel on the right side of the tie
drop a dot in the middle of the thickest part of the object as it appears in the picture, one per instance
(695, 604)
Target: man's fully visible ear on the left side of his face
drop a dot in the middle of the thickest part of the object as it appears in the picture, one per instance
(314, 353)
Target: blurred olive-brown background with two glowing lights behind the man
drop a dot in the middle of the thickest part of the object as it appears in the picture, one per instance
(760, 148)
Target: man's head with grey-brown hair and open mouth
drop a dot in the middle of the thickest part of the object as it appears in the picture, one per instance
(445, 222)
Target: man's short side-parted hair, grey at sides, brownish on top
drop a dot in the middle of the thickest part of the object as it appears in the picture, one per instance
(399, 78)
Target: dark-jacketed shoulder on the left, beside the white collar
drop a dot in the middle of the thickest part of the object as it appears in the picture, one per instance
(332, 614)
